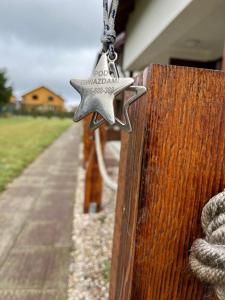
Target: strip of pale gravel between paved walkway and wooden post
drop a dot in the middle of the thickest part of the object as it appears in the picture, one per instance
(92, 239)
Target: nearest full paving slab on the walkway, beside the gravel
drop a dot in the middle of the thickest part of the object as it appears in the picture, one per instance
(35, 268)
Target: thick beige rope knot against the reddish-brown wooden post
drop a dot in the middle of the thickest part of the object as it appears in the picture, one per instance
(207, 258)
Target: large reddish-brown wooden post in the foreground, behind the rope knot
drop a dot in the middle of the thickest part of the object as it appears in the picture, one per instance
(175, 162)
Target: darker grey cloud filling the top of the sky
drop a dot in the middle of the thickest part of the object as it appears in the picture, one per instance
(51, 23)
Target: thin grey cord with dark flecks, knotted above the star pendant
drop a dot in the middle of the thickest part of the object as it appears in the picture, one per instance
(109, 36)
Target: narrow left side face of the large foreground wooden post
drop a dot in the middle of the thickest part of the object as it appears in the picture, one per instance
(127, 199)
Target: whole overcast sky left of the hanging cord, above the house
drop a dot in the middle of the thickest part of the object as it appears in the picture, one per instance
(48, 42)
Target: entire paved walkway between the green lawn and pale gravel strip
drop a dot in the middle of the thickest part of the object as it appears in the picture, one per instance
(36, 223)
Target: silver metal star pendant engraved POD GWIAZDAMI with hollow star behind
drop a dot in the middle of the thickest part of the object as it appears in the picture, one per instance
(98, 93)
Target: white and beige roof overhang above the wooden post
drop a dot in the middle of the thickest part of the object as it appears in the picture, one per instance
(187, 29)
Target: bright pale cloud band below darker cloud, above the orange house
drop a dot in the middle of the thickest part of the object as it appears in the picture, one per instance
(34, 67)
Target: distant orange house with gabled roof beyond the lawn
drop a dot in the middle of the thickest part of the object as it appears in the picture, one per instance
(43, 99)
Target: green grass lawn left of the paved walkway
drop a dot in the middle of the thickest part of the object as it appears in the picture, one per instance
(22, 139)
